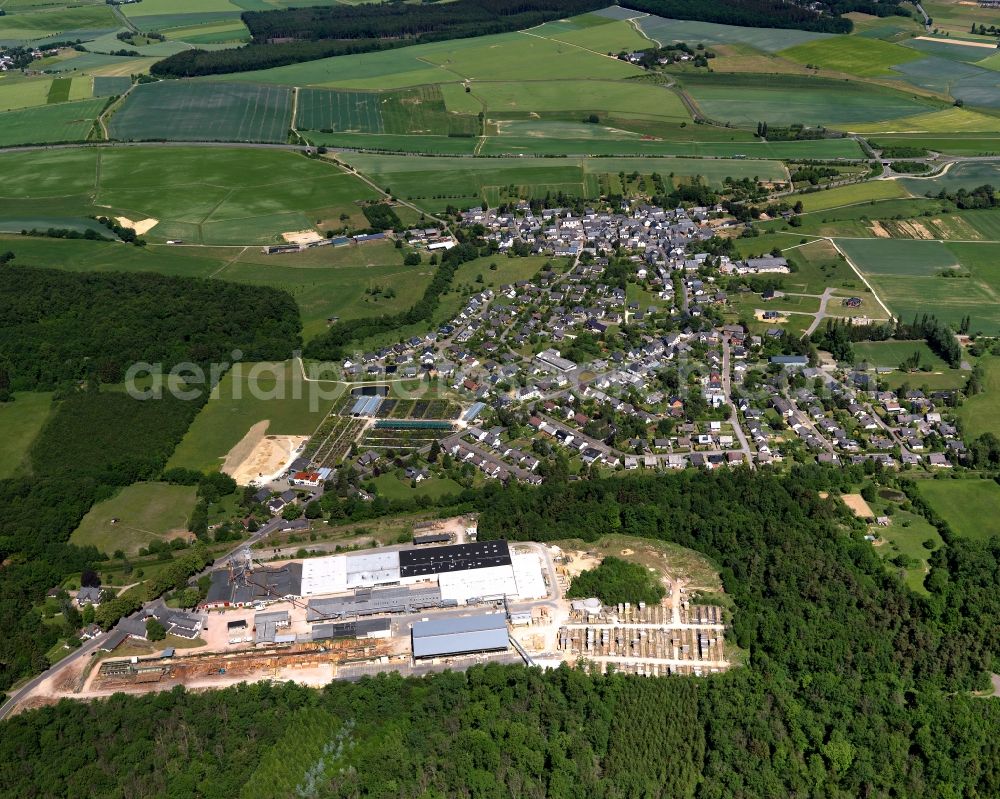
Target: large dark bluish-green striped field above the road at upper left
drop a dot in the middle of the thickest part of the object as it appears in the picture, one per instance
(194, 111)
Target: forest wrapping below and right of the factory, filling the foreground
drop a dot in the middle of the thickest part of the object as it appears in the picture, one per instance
(854, 686)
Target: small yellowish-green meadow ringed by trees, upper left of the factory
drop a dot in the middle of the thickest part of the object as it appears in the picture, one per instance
(137, 516)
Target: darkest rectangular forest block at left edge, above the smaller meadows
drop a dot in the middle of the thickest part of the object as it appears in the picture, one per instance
(58, 326)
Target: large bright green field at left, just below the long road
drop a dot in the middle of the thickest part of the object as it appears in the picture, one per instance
(237, 196)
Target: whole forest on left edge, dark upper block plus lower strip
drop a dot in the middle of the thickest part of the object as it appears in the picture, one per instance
(97, 441)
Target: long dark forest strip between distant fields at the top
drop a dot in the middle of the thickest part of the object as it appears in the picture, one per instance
(293, 35)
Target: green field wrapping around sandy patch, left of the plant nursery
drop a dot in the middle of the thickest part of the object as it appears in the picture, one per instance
(228, 415)
